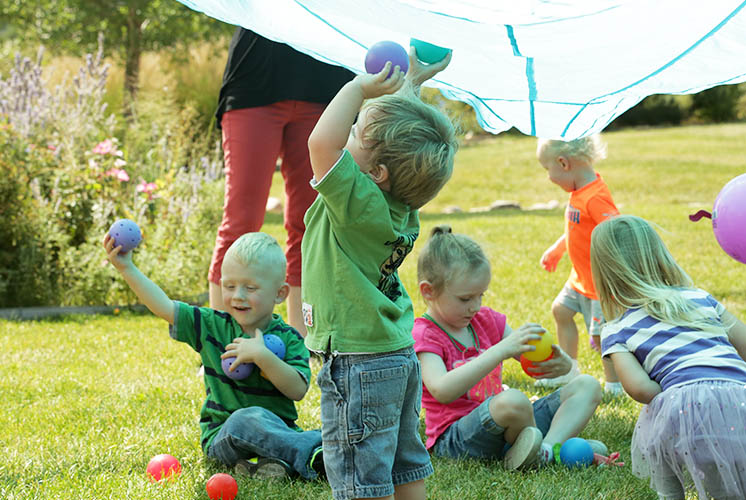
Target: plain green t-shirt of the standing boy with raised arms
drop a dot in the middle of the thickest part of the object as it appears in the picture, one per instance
(356, 238)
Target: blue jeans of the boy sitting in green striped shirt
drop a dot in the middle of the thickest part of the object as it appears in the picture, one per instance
(257, 432)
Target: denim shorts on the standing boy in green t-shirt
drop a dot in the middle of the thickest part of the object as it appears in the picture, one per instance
(370, 417)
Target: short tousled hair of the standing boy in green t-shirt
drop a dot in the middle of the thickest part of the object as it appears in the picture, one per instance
(417, 144)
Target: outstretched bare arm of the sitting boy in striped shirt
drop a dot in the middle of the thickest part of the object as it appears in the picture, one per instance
(148, 292)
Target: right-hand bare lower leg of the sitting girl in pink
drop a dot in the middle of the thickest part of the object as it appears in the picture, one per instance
(579, 399)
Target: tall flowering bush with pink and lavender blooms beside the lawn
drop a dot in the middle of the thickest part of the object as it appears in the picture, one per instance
(67, 174)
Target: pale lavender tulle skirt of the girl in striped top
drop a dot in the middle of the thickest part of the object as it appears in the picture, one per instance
(695, 432)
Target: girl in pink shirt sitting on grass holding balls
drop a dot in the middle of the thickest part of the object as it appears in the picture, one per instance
(461, 347)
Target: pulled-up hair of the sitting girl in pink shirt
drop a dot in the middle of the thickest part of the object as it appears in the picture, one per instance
(447, 254)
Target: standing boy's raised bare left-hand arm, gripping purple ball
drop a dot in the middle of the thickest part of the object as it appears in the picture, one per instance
(330, 135)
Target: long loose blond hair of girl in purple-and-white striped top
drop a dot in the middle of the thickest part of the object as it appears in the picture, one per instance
(632, 268)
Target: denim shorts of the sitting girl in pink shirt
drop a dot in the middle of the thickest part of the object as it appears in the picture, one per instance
(476, 435)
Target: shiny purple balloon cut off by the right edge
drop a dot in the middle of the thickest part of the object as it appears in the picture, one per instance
(729, 218)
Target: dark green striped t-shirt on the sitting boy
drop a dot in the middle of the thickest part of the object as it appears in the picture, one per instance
(208, 331)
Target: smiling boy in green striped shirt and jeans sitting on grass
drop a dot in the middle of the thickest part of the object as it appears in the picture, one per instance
(248, 423)
